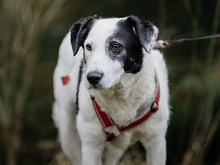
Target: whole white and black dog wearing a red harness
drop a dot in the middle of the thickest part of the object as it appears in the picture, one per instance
(114, 91)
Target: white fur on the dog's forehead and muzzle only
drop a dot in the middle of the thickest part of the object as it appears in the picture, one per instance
(97, 60)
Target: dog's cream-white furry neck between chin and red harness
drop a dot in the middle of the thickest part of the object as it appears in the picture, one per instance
(132, 93)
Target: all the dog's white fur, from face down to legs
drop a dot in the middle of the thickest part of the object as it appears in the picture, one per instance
(82, 136)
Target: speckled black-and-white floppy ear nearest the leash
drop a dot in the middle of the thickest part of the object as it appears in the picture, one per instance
(145, 31)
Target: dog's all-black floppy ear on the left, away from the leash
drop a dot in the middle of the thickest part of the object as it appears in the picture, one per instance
(79, 31)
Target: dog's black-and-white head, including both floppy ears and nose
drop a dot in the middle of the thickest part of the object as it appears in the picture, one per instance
(112, 47)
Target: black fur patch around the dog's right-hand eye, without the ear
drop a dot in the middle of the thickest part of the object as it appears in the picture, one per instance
(130, 52)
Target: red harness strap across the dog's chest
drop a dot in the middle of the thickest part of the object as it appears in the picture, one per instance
(107, 122)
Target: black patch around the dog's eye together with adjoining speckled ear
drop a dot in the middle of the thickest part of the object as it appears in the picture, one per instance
(132, 35)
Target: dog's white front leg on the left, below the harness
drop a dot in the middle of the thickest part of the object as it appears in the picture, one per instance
(93, 140)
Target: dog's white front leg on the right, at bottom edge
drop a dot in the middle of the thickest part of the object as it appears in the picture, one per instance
(156, 151)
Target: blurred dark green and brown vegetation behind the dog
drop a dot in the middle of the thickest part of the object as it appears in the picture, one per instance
(30, 34)
